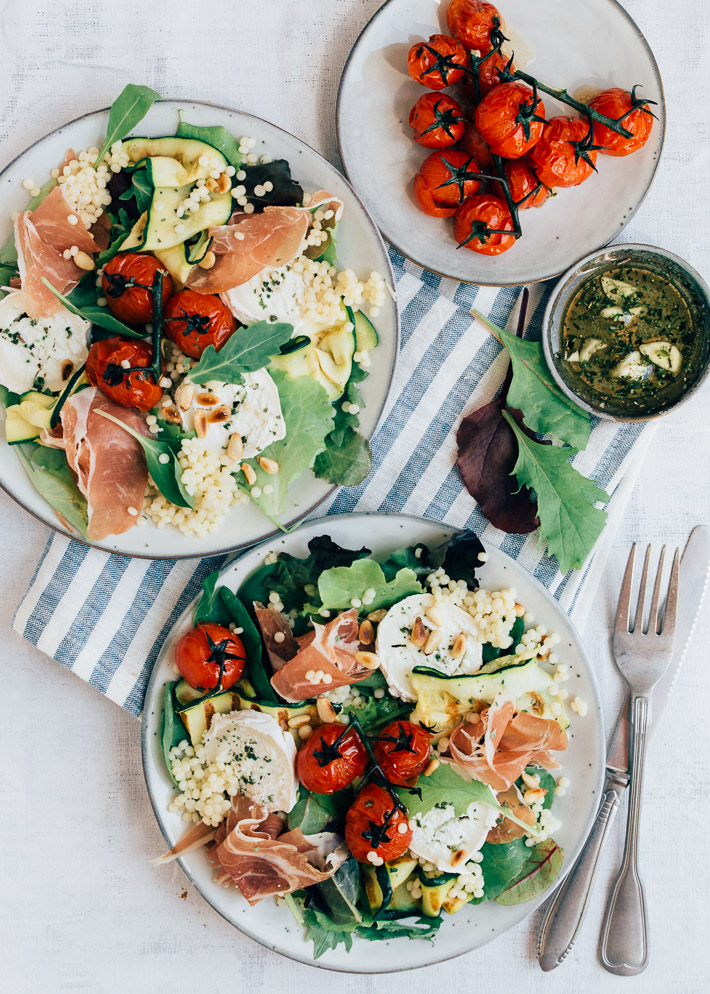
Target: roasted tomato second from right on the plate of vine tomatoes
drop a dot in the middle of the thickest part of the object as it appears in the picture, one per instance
(565, 155)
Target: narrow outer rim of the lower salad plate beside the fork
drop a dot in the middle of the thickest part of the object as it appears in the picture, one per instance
(597, 710)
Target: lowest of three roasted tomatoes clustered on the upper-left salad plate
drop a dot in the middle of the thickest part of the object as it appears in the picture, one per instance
(128, 385)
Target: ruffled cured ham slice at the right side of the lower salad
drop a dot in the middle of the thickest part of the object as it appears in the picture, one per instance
(497, 749)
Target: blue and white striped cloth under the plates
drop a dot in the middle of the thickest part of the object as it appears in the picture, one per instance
(106, 617)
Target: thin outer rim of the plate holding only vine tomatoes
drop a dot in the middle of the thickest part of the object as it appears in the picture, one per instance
(552, 276)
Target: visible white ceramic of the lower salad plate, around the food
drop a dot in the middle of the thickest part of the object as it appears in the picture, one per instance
(583, 762)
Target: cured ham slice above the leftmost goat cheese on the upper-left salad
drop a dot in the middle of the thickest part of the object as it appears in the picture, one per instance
(41, 237)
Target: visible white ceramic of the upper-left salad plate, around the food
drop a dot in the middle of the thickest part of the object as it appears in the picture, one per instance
(360, 248)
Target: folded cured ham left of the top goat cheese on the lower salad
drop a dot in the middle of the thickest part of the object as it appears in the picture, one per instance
(329, 649)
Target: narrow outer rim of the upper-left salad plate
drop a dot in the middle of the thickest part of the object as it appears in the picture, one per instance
(294, 522)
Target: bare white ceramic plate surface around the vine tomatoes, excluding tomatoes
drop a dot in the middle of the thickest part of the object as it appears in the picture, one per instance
(594, 43)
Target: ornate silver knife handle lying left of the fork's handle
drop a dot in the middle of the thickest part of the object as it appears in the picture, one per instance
(565, 912)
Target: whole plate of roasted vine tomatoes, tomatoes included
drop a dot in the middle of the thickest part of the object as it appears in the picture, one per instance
(454, 125)
